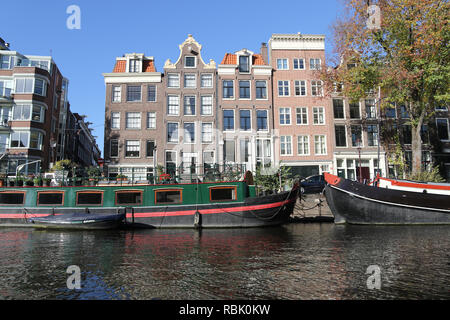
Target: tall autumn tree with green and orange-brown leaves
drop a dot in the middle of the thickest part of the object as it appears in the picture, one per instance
(402, 48)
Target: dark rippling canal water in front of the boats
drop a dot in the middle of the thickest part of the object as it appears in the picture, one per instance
(294, 261)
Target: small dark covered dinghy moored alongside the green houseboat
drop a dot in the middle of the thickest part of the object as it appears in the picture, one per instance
(79, 220)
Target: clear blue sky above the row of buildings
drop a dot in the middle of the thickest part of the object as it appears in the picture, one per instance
(156, 28)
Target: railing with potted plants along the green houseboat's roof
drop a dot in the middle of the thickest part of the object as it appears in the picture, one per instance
(184, 173)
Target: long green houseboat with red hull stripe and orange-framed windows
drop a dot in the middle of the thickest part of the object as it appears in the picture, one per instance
(206, 204)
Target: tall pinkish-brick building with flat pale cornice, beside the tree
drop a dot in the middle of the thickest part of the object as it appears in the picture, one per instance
(303, 117)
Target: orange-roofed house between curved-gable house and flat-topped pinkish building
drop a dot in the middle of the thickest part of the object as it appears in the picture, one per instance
(245, 113)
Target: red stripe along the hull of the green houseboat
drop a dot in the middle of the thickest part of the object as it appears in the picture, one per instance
(171, 213)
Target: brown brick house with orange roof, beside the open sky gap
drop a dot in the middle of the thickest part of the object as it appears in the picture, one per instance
(134, 119)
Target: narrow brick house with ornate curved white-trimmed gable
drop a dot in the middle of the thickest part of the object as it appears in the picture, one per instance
(189, 113)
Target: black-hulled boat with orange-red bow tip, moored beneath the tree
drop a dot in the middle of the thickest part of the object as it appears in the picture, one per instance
(356, 203)
